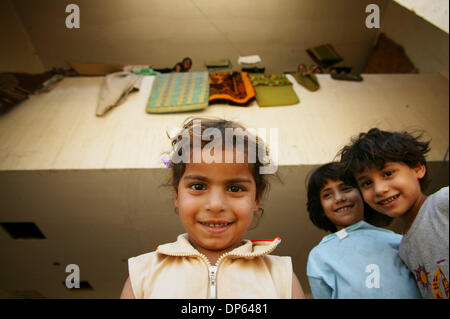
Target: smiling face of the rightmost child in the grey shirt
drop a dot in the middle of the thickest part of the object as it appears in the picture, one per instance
(394, 189)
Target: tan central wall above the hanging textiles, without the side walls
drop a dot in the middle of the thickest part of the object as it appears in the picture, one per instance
(162, 32)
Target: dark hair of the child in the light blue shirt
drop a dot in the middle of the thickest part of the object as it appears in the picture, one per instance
(316, 182)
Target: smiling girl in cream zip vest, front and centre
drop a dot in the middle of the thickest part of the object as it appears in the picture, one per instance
(216, 202)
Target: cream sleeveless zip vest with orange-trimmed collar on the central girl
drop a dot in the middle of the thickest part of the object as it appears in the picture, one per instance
(178, 270)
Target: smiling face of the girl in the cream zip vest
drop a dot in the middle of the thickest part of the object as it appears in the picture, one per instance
(216, 204)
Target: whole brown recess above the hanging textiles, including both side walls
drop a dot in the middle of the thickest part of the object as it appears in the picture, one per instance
(161, 33)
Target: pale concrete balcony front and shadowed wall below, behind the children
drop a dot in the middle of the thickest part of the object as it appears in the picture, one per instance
(92, 184)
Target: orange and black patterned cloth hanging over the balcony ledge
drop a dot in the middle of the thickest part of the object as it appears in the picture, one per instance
(234, 87)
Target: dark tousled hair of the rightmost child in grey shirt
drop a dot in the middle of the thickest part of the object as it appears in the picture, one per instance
(376, 147)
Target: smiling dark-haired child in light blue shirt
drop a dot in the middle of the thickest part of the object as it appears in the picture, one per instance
(358, 259)
